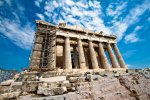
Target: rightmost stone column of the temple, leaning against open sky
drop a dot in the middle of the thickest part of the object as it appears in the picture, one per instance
(119, 57)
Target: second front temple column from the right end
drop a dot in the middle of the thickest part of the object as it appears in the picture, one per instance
(112, 57)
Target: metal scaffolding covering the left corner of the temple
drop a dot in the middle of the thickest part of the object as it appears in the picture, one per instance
(48, 36)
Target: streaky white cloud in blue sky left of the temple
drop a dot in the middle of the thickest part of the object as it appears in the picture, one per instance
(21, 36)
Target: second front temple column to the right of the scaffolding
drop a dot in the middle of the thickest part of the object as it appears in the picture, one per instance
(81, 55)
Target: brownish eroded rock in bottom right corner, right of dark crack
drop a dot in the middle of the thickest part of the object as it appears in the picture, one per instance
(138, 85)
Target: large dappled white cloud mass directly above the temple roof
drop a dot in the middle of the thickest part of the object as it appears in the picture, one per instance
(82, 13)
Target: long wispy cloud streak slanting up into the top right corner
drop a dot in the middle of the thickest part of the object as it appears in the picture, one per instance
(119, 27)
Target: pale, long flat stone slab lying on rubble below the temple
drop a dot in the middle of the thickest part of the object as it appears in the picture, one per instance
(53, 79)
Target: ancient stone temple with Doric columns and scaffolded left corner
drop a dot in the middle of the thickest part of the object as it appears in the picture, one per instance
(70, 48)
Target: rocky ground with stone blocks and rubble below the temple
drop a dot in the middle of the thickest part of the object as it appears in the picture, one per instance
(108, 85)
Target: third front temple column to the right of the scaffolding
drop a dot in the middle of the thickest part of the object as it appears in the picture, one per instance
(93, 56)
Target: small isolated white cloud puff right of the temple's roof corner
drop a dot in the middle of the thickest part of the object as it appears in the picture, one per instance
(131, 38)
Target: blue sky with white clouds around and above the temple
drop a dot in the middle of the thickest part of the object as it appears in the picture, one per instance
(129, 20)
